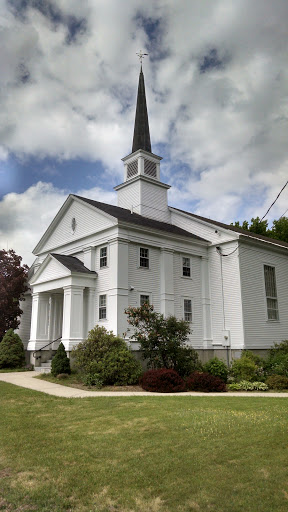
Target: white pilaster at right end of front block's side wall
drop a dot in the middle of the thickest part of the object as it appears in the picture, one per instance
(206, 303)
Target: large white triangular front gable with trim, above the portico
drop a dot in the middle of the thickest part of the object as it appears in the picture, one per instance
(74, 221)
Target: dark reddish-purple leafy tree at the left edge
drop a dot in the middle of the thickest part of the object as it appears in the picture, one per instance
(13, 285)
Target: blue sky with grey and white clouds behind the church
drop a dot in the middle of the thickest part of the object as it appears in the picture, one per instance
(216, 85)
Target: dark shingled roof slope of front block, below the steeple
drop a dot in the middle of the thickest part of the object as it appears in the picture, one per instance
(124, 215)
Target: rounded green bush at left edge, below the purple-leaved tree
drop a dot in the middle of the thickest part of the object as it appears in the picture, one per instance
(12, 353)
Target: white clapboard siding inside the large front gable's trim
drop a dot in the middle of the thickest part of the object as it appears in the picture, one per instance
(88, 222)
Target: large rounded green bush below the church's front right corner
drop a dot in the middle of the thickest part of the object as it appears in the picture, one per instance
(104, 359)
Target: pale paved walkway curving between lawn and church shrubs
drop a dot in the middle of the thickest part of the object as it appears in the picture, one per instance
(26, 380)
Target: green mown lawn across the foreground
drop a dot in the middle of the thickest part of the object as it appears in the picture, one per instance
(152, 454)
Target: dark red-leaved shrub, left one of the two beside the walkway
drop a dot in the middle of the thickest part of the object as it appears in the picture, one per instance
(162, 380)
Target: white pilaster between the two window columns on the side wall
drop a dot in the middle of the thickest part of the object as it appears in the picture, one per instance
(167, 282)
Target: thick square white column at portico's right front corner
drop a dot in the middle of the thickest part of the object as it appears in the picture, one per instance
(72, 330)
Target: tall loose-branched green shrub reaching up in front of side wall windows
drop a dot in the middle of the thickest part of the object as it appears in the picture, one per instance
(162, 340)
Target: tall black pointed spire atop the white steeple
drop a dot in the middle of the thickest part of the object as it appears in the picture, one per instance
(141, 139)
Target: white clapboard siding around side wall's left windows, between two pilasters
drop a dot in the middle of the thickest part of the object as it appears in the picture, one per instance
(145, 281)
